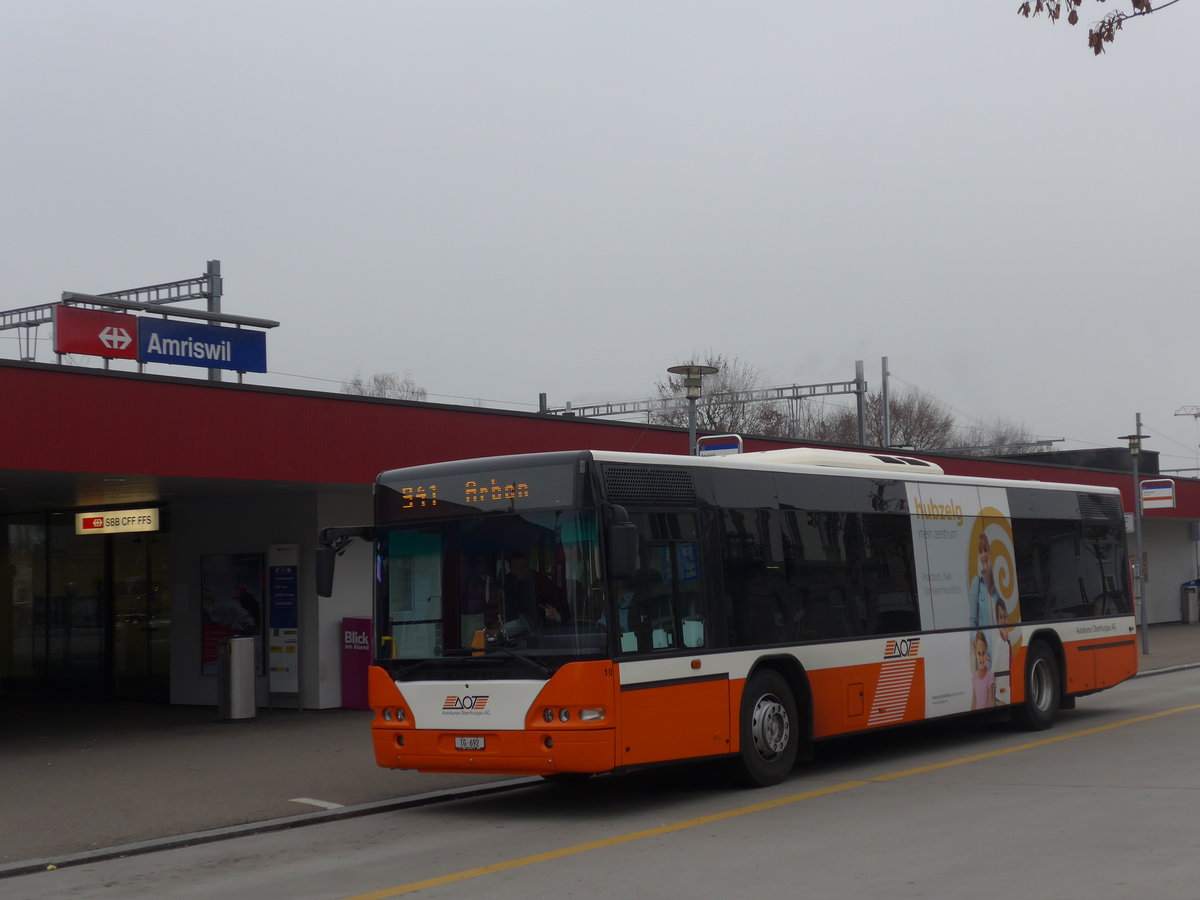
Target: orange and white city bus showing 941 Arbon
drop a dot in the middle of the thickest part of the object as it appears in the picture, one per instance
(590, 611)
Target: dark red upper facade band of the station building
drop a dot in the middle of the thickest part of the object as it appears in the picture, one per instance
(63, 419)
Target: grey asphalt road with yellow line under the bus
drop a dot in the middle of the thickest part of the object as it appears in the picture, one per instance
(1103, 806)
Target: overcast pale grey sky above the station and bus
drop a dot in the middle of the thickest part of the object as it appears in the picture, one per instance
(507, 199)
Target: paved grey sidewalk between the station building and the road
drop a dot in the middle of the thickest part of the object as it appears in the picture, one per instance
(77, 779)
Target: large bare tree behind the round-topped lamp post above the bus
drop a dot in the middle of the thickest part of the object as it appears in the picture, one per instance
(725, 404)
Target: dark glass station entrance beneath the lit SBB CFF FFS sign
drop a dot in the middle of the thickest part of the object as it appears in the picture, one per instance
(83, 616)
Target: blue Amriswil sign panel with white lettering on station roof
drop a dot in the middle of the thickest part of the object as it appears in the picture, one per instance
(185, 344)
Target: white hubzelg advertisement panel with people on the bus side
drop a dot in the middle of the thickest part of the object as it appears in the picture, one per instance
(965, 563)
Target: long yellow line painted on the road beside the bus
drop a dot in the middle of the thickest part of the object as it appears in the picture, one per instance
(467, 874)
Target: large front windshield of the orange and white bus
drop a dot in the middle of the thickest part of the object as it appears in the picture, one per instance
(512, 584)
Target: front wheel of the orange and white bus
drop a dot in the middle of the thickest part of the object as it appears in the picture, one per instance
(770, 730)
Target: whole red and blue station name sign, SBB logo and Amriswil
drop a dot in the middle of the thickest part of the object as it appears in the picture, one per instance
(118, 335)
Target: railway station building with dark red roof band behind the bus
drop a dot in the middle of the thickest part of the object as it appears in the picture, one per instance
(146, 518)
